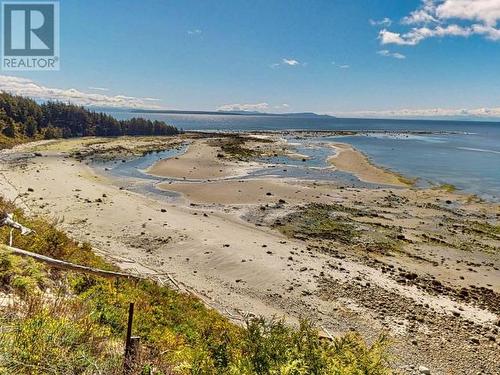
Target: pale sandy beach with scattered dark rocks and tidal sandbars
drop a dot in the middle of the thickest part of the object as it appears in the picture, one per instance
(226, 240)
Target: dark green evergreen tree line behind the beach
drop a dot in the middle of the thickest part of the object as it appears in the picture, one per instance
(24, 117)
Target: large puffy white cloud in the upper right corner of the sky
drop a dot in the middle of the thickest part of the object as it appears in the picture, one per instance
(441, 18)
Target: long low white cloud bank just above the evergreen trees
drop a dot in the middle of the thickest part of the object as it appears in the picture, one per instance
(27, 87)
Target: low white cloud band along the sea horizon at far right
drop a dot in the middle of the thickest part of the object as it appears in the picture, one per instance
(427, 112)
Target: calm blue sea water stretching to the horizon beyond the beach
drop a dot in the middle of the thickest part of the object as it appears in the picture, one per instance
(465, 154)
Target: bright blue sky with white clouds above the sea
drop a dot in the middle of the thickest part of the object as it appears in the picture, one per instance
(389, 58)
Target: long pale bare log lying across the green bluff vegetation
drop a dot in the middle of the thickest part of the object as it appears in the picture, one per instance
(66, 265)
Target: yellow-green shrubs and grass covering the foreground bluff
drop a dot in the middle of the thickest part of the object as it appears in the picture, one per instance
(59, 322)
